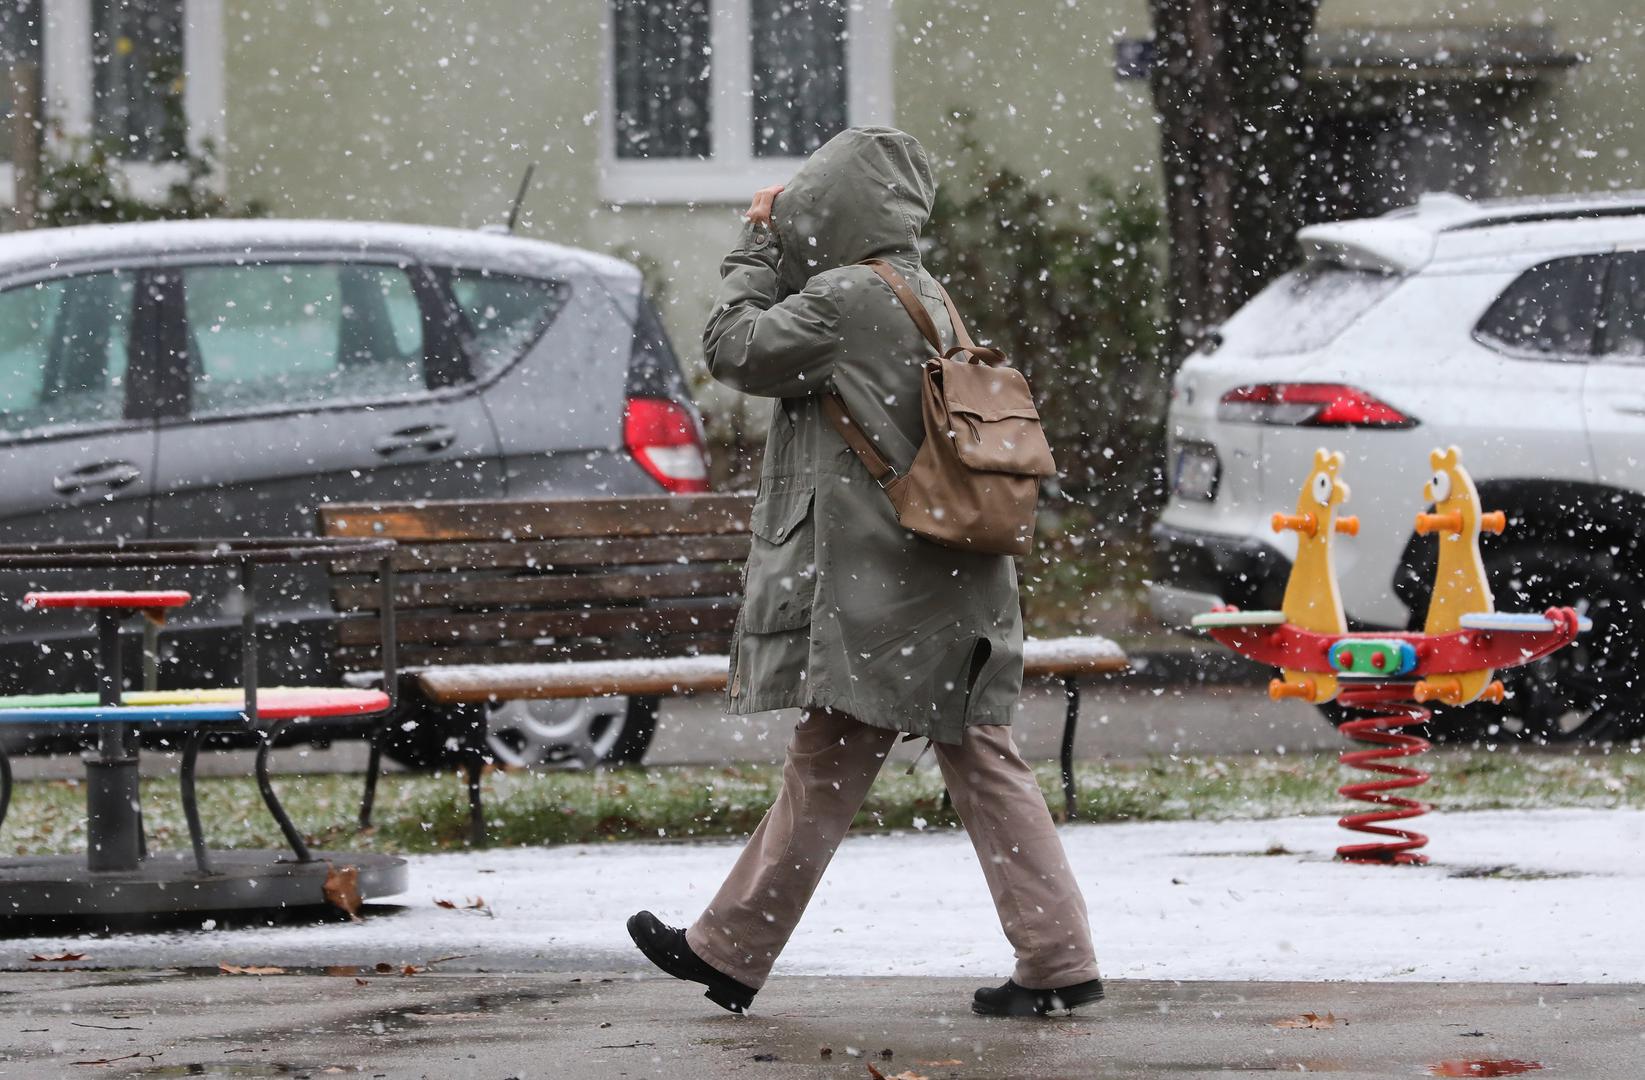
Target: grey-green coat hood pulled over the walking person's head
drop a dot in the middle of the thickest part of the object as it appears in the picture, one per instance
(863, 195)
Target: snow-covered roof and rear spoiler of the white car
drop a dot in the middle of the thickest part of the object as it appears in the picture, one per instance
(1450, 229)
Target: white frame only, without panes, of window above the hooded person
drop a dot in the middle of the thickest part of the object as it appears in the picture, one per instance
(731, 175)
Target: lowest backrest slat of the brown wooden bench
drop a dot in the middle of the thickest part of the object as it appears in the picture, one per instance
(468, 629)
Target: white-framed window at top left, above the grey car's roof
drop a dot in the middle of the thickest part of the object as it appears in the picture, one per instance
(144, 78)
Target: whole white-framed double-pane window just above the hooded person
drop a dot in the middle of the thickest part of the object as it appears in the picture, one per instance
(710, 99)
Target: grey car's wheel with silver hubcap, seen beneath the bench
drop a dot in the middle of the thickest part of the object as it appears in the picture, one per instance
(573, 734)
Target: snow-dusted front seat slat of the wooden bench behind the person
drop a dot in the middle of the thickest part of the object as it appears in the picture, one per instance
(493, 683)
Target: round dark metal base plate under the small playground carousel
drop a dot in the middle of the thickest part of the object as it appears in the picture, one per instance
(169, 884)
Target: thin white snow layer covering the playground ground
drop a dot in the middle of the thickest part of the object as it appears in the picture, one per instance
(1182, 900)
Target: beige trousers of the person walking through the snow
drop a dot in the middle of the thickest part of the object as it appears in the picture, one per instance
(832, 765)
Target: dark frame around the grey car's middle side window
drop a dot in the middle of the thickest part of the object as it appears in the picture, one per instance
(175, 399)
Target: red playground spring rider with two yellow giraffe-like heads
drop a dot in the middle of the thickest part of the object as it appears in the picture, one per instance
(1391, 675)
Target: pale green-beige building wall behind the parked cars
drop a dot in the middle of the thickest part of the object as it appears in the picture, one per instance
(338, 109)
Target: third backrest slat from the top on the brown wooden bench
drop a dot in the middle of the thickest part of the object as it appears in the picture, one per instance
(512, 591)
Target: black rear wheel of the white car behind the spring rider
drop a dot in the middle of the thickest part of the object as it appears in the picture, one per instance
(1588, 691)
